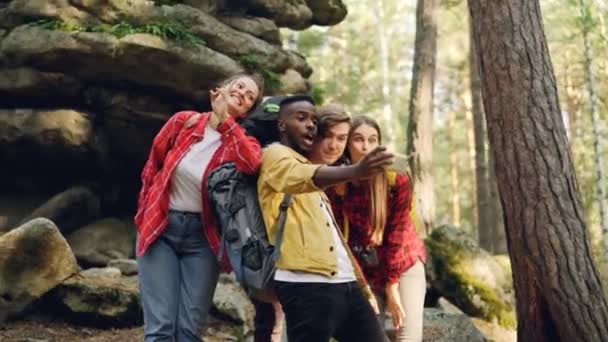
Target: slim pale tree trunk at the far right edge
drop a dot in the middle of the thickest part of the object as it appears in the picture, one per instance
(598, 144)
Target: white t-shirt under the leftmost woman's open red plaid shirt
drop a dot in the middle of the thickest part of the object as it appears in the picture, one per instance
(187, 177)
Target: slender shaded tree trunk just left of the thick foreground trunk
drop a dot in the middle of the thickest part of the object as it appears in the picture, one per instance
(485, 219)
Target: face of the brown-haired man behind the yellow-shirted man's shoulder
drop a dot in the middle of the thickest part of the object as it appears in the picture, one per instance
(329, 148)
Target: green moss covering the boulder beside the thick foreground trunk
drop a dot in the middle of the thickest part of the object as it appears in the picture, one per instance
(461, 287)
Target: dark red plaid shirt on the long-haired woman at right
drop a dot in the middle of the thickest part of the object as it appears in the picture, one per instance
(401, 247)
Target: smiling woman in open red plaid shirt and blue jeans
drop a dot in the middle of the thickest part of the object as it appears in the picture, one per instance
(177, 240)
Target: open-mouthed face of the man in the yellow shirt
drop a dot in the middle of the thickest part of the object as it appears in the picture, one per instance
(298, 124)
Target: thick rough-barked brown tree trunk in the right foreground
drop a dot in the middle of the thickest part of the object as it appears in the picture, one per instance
(558, 292)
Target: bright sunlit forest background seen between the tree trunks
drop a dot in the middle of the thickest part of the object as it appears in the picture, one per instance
(366, 61)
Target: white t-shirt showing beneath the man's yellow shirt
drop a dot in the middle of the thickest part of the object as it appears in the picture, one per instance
(345, 273)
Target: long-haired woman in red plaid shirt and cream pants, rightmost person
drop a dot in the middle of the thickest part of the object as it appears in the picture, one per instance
(375, 217)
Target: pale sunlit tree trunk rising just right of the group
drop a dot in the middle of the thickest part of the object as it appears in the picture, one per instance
(420, 128)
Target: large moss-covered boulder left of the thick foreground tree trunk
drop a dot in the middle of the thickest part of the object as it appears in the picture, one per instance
(470, 277)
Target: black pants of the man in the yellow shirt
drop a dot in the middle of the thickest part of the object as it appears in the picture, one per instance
(315, 312)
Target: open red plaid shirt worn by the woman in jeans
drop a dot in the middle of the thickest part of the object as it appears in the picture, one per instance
(169, 147)
